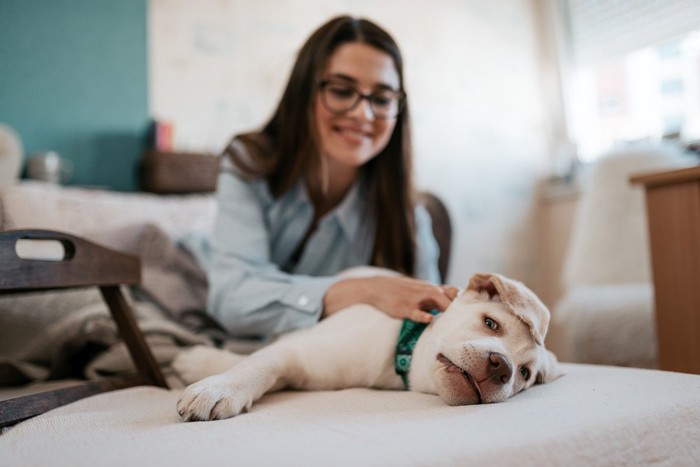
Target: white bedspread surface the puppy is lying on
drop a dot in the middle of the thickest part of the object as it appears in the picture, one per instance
(595, 415)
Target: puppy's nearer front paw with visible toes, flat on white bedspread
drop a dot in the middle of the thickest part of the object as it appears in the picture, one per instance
(214, 398)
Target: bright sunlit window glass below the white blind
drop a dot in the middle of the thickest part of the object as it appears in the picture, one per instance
(646, 94)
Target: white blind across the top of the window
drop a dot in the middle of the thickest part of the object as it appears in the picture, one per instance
(604, 29)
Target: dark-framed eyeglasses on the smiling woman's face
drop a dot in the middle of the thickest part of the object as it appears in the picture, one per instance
(340, 98)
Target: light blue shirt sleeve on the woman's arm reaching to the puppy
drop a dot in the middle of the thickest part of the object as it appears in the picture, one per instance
(248, 294)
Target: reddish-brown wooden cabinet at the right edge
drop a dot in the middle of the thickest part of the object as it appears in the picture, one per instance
(673, 208)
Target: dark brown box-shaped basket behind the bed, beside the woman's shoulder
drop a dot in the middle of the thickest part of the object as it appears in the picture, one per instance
(178, 172)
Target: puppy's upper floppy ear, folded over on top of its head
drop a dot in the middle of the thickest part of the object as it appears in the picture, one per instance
(517, 298)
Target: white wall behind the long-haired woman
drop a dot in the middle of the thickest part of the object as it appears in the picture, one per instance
(217, 67)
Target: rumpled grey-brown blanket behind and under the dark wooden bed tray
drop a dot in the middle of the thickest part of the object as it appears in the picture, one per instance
(70, 333)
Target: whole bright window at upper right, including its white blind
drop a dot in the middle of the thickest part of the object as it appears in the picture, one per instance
(635, 72)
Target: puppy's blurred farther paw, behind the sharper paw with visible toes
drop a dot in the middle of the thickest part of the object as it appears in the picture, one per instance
(200, 361)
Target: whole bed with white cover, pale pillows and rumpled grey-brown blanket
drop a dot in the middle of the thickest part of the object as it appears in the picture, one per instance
(593, 415)
